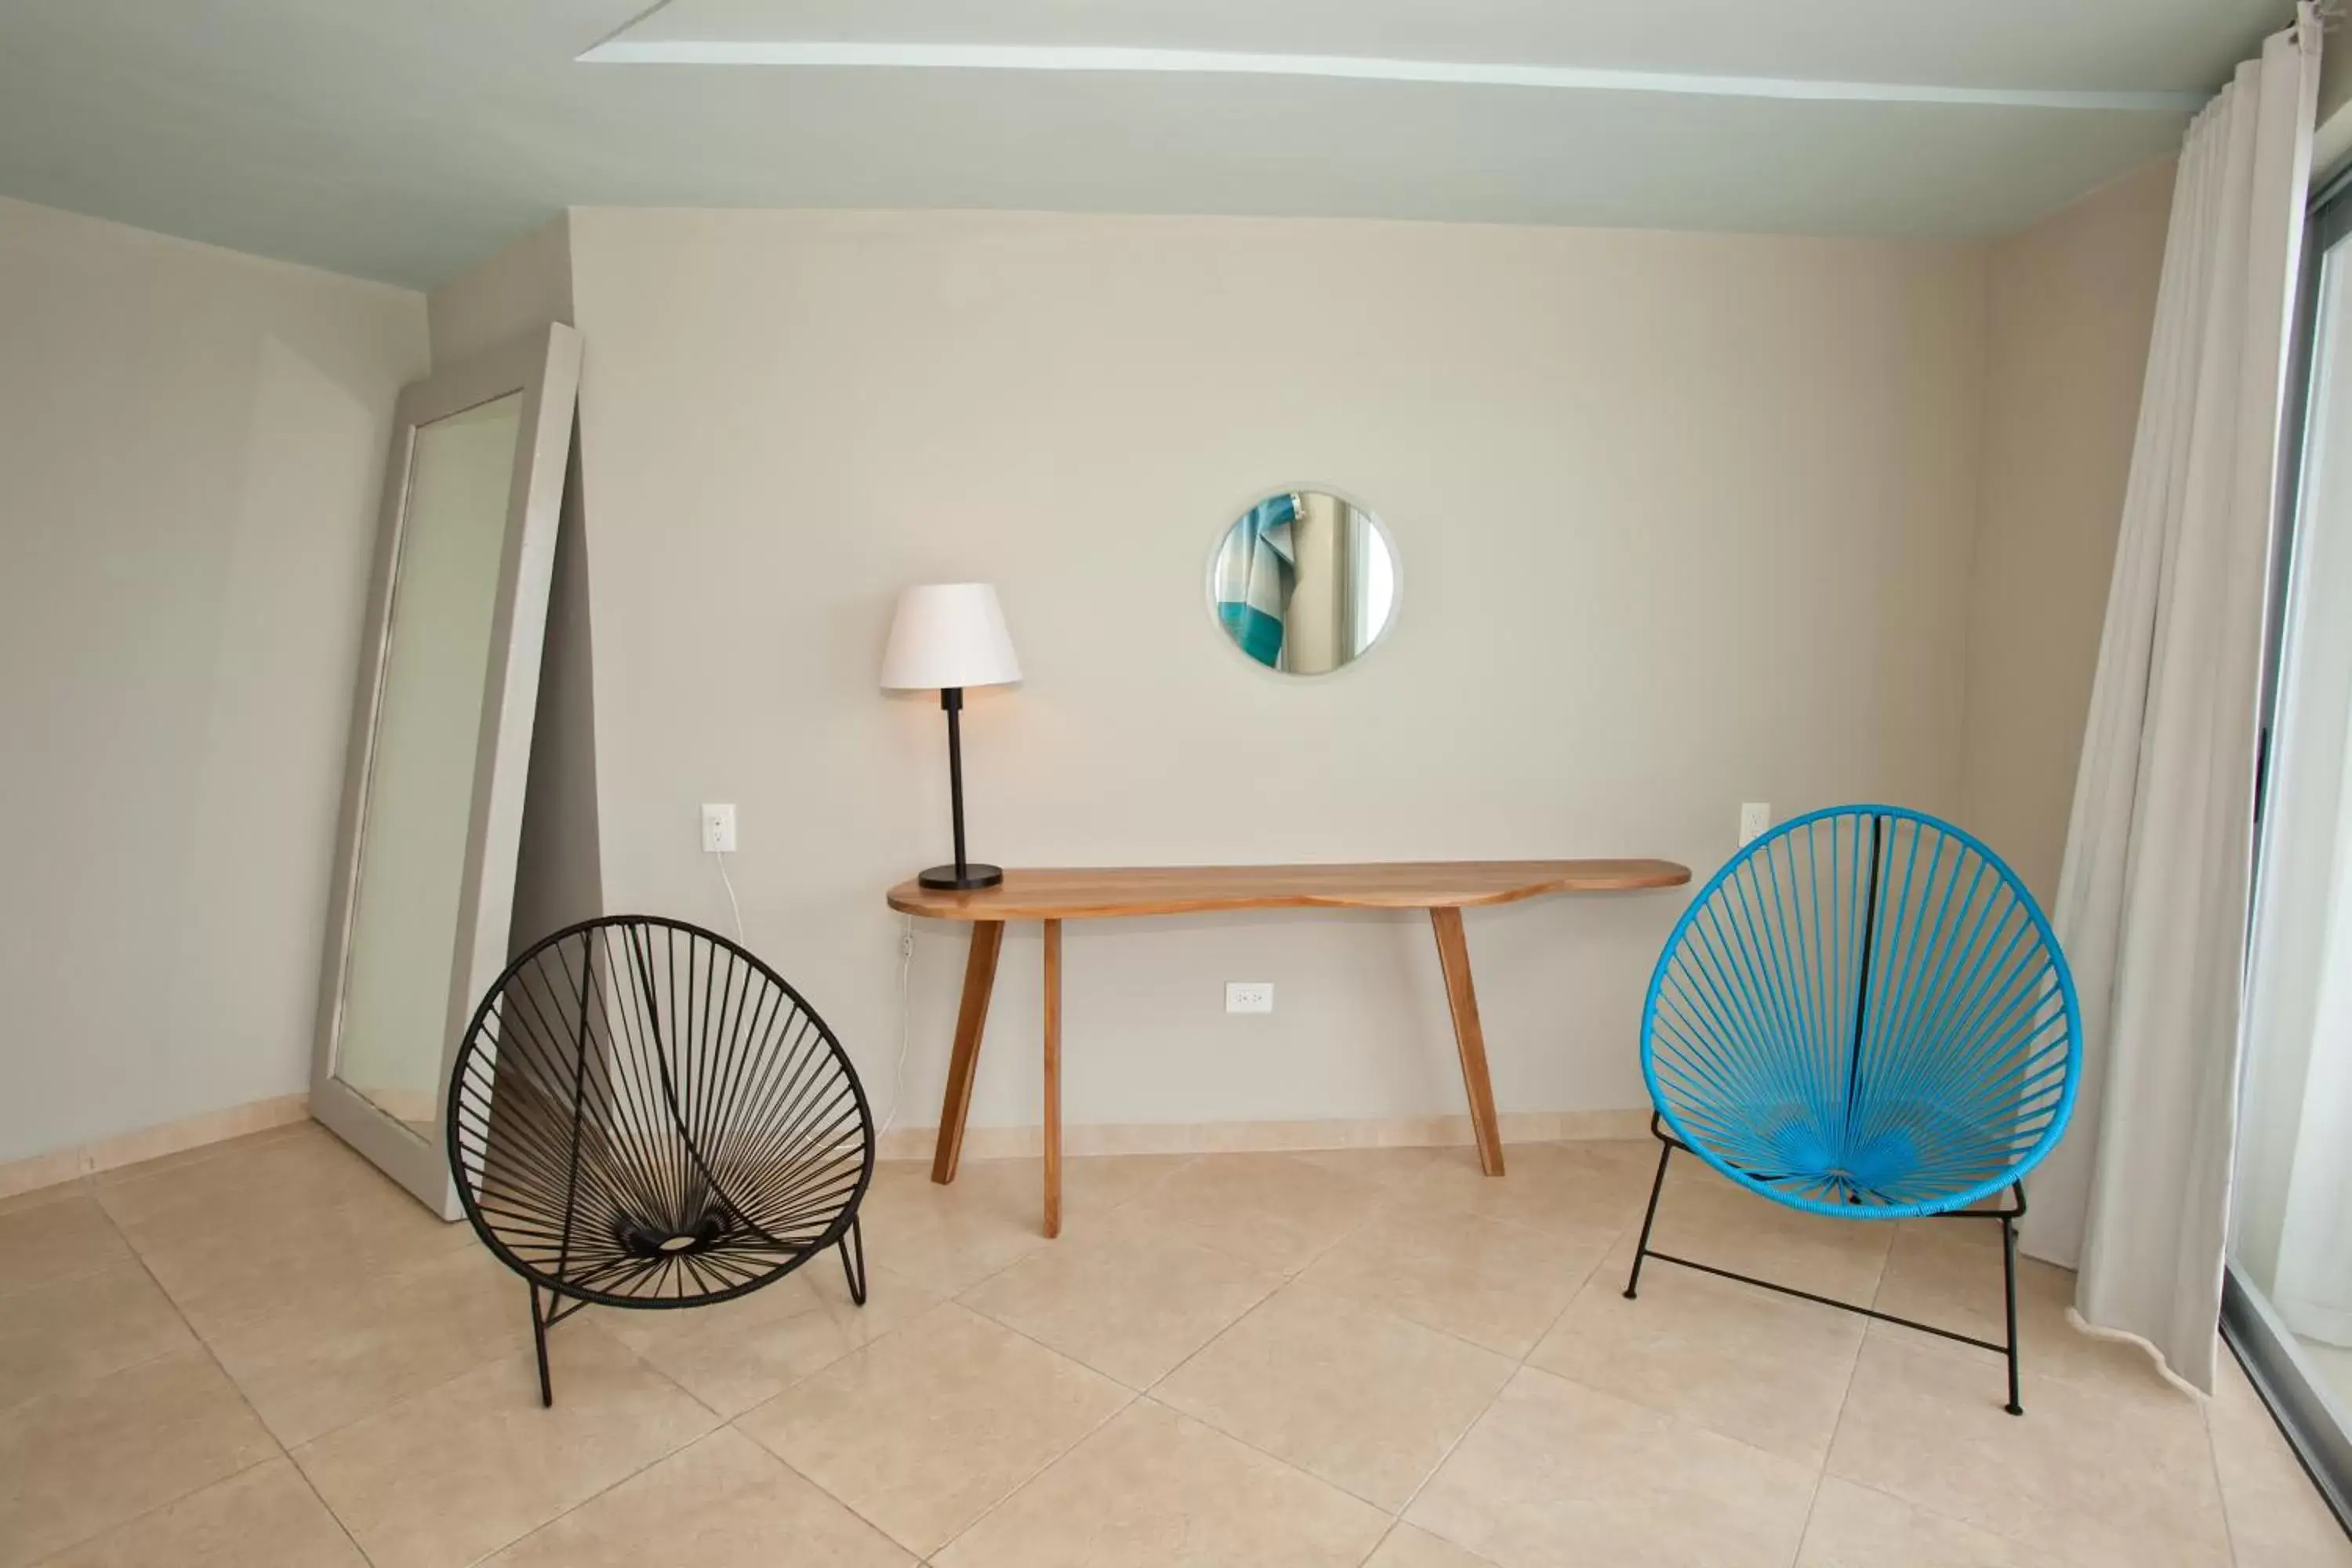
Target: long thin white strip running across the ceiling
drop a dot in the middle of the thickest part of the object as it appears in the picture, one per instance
(1349, 67)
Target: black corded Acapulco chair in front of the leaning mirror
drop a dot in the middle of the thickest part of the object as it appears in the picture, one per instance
(709, 1221)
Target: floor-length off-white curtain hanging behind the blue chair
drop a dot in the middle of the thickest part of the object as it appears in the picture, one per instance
(2153, 894)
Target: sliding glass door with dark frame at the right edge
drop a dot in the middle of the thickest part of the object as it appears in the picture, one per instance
(2290, 1294)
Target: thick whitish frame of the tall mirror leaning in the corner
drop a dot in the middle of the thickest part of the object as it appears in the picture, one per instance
(547, 370)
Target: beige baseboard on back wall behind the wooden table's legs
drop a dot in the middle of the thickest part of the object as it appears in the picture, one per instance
(1269, 1137)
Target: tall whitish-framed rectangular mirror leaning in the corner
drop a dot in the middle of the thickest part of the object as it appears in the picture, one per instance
(441, 746)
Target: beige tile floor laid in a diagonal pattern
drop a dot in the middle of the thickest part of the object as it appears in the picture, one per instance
(265, 1355)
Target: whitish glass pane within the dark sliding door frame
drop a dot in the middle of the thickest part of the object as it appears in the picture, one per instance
(2294, 1174)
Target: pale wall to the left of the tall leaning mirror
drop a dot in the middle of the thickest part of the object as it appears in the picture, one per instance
(189, 460)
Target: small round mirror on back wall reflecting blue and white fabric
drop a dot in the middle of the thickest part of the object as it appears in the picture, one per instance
(1307, 582)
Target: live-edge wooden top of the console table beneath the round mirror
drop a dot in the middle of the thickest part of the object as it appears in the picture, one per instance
(1180, 890)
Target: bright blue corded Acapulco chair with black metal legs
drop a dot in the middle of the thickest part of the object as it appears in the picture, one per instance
(1864, 1017)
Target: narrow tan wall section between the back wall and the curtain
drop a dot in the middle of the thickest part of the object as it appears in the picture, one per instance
(2073, 304)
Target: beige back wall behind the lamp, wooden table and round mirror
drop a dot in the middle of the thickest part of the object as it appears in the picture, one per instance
(1683, 521)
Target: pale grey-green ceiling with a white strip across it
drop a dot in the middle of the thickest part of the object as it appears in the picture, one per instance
(406, 140)
